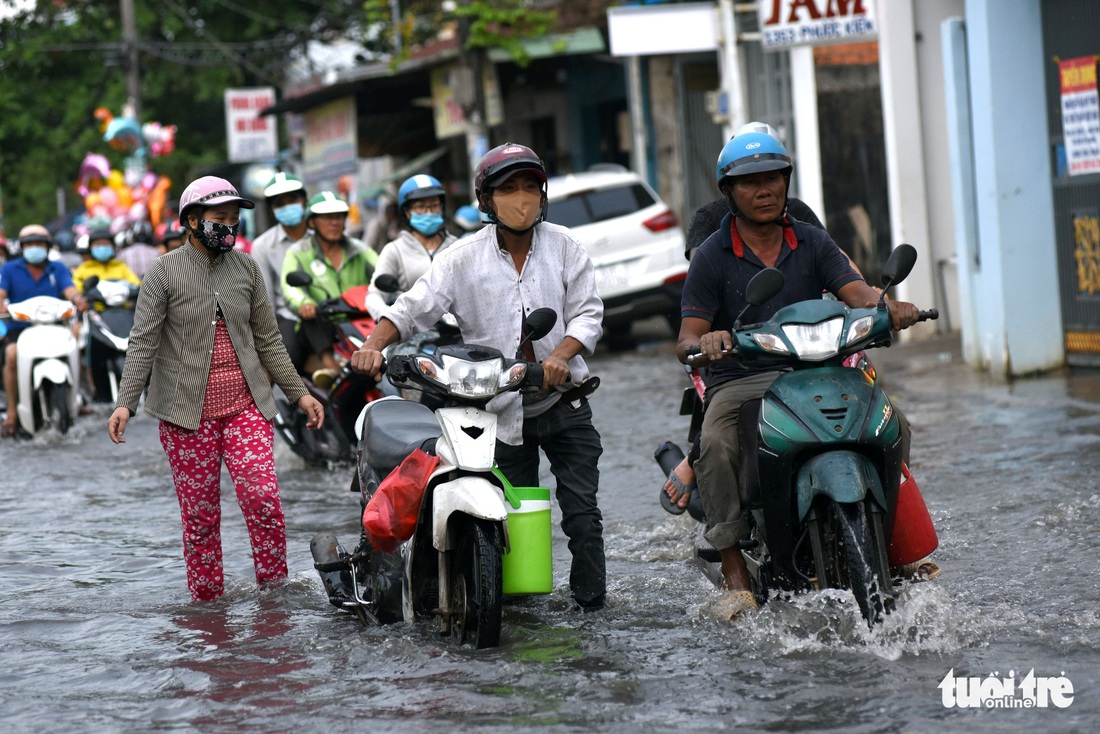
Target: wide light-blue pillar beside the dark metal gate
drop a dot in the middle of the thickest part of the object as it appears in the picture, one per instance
(1016, 289)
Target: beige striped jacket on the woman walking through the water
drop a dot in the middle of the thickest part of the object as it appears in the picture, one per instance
(172, 341)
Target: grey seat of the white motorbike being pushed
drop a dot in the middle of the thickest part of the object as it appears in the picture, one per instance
(392, 430)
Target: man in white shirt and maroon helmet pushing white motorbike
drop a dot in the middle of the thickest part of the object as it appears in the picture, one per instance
(490, 281)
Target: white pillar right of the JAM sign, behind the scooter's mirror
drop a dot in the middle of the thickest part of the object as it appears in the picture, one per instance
(905, 147)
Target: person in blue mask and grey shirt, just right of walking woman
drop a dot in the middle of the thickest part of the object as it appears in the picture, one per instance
(287, 200)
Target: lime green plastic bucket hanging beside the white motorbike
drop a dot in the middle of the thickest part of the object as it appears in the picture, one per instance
(529, 566)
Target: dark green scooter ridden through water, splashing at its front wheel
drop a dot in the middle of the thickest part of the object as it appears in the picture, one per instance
(821, 452)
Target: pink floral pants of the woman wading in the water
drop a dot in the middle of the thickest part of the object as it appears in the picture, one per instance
(246, 444)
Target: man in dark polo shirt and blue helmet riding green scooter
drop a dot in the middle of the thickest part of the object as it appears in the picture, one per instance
(754, 176)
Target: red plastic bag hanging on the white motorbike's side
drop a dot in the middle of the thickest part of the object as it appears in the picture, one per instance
(391, 514)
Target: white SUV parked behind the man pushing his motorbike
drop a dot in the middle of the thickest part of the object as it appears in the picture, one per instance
(633, 238)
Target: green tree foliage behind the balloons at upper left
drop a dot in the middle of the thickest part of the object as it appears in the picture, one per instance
(64, 59)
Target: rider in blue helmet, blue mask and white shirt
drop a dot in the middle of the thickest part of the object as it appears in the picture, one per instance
(422, 202)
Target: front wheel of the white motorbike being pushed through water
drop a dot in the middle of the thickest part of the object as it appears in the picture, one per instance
(477, 596)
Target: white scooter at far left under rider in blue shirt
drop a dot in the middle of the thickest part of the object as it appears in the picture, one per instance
(48, 366)
